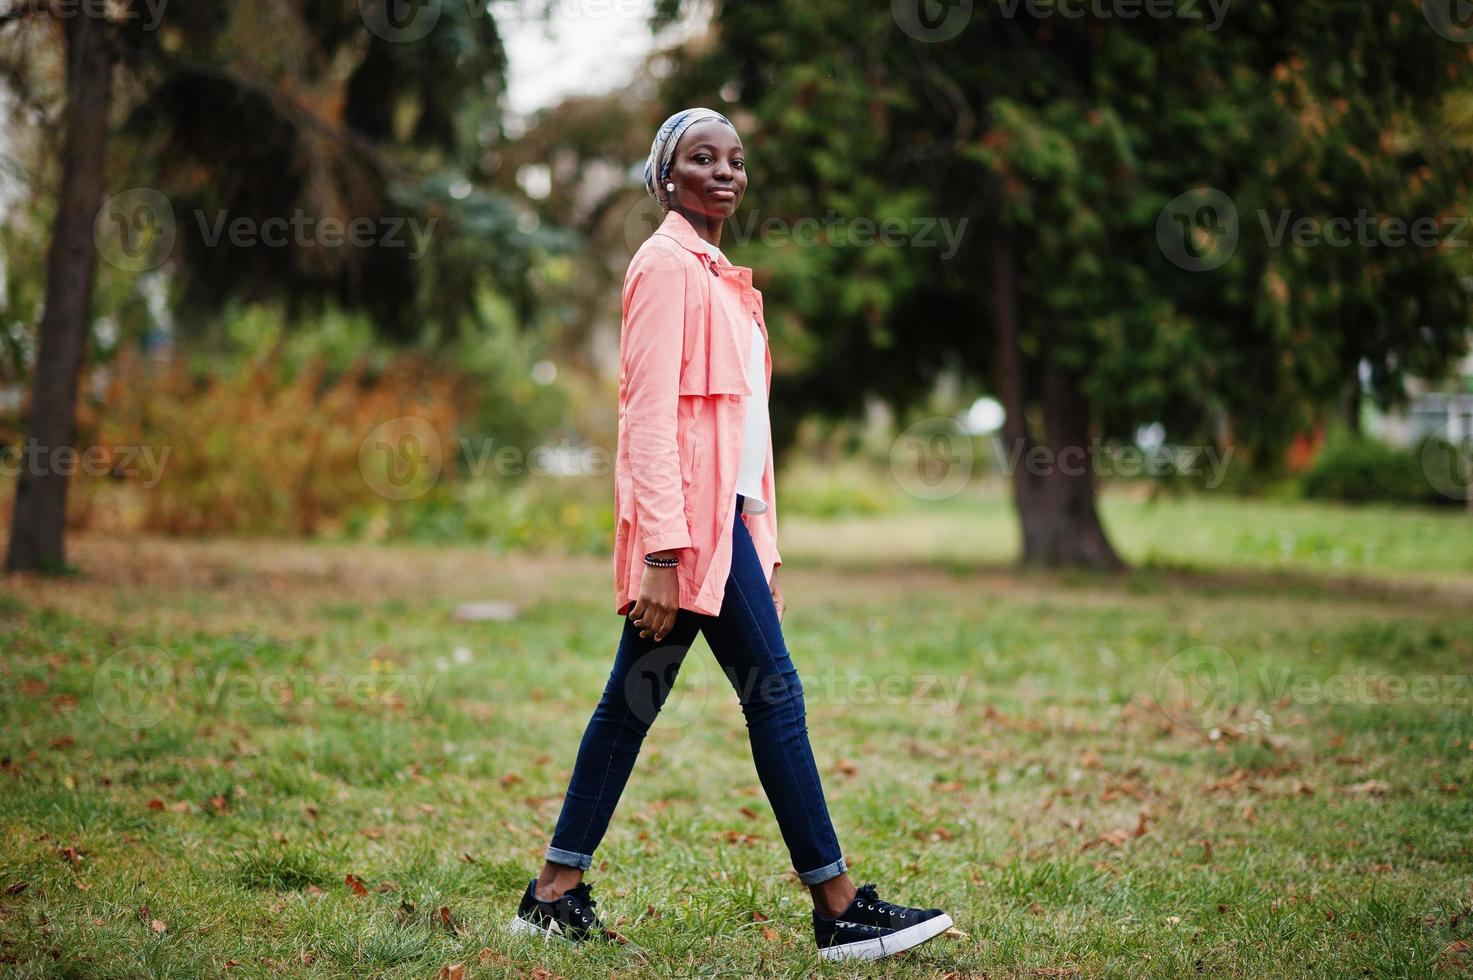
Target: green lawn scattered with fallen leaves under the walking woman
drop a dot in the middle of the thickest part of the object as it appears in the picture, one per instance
(1242, 760)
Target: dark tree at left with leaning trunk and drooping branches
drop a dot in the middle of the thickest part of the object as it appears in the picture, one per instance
(257, 113)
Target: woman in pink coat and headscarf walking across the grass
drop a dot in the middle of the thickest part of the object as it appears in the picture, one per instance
(696, 553)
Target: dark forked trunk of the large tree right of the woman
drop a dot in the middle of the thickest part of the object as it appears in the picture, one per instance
(1054, 491)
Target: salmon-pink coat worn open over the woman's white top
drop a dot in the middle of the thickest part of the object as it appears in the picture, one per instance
(683, 387)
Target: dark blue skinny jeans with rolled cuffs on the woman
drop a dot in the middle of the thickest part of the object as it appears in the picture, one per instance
(748, 642)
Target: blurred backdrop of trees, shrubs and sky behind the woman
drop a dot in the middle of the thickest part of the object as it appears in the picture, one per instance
(345, 270)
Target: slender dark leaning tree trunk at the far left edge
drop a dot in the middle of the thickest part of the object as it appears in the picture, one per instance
(38, 530)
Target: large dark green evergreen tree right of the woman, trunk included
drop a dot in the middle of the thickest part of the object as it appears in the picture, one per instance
(1114, 176)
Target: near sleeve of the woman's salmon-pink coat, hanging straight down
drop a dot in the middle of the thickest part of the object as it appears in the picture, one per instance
(652, 353)
